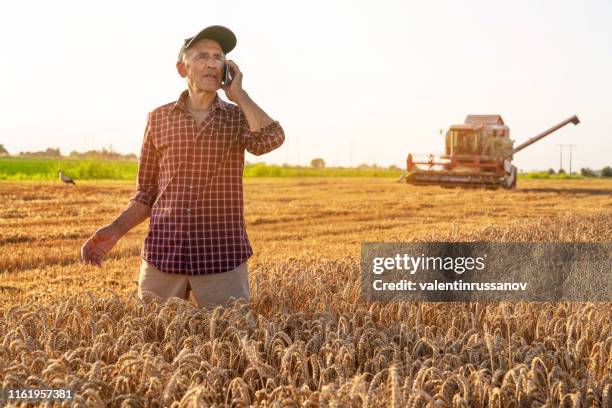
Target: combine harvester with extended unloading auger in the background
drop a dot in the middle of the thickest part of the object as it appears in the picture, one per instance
(478, 154)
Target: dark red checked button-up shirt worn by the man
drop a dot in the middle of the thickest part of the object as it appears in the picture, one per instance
(191, 177)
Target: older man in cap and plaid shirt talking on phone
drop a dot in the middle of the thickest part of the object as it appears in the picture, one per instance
(190, 181)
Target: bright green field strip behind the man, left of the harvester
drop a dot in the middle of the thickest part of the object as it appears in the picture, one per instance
(13, 168)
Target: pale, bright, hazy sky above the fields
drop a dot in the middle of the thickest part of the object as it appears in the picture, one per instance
(350, 81)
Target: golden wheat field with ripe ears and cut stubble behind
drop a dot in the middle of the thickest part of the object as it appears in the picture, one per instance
(306, 339)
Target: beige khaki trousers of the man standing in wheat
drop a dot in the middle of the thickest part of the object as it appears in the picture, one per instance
(206, 290)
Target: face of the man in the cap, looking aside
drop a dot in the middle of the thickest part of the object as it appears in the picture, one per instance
(202, 66)
